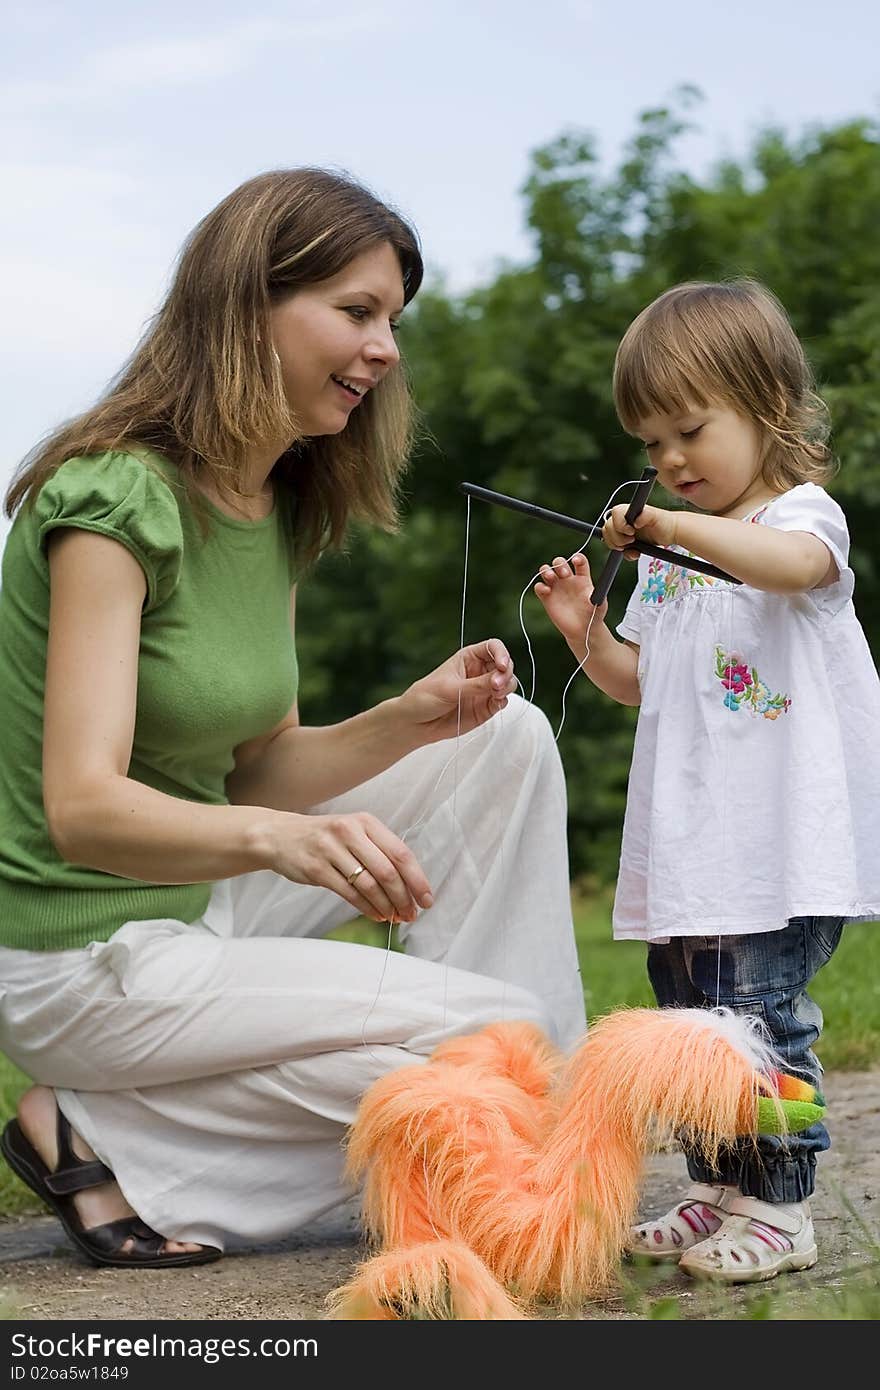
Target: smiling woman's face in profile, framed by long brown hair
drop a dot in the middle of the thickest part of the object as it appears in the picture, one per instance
(336, 340)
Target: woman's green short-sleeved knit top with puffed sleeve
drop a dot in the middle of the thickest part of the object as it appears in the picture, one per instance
(218, 667)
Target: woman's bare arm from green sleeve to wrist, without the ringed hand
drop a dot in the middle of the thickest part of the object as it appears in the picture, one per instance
(97, 814)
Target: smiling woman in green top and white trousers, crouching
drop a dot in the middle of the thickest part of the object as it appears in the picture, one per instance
(174, 844)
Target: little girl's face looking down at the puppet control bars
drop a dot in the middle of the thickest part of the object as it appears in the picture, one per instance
(708, 455)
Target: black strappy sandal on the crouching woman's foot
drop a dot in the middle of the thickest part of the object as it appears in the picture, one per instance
(101, 1245)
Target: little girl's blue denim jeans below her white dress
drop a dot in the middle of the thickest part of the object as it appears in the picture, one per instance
(764, 975)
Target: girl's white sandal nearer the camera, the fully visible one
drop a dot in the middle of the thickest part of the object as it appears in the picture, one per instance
(757, 1241)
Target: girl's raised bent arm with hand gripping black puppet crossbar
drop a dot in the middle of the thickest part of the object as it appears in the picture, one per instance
(781, 562)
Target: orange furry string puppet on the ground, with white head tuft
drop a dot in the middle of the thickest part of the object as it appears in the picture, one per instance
(497, 1166)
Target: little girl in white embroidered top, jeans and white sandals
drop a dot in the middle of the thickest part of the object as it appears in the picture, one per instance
(753, 817)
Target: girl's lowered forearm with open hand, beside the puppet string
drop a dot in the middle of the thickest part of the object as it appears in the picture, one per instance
(565, 589)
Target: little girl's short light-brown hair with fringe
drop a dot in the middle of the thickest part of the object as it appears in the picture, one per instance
(729, 343)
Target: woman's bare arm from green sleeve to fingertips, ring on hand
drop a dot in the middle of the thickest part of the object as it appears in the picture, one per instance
(101, 818)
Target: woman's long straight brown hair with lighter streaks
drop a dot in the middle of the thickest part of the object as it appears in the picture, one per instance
(205, 386)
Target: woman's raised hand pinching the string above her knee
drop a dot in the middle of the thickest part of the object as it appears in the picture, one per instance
(464, 693)
